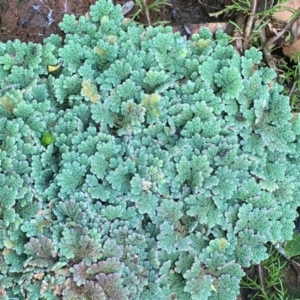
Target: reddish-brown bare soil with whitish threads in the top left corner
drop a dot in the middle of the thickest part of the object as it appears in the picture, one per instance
(33, 20)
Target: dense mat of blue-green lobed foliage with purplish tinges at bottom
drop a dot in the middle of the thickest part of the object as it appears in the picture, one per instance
(145, 167)
